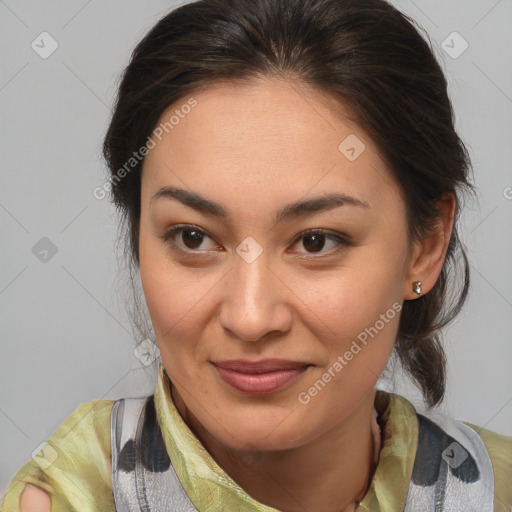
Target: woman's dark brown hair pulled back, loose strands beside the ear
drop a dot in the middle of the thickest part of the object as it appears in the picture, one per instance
(366, 54)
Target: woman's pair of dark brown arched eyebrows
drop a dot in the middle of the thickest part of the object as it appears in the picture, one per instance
(288, 212)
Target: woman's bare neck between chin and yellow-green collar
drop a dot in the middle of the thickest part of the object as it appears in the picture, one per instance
(337, 466)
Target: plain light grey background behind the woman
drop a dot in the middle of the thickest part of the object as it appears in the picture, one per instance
(65, 337)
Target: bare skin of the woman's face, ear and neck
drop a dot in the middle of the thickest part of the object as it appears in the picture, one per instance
(254, 148)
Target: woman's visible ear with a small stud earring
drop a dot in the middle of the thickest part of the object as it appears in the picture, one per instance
(428, 254)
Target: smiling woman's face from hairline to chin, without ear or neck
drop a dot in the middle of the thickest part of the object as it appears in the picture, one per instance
(249, 284)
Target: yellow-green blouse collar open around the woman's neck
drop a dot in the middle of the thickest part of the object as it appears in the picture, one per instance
(211, 488)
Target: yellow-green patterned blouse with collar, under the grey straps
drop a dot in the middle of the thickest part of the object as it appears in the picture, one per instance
(74, 467)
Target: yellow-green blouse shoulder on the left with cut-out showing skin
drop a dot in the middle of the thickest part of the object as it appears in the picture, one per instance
(73, 466)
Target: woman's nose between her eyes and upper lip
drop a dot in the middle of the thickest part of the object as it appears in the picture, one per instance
(256, 299)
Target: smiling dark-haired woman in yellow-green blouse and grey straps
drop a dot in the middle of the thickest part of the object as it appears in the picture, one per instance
(290, 178)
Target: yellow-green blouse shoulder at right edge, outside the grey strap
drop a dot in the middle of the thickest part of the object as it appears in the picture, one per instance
(499, 447)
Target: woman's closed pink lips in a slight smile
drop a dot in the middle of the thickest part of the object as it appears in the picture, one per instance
(260, 377)
